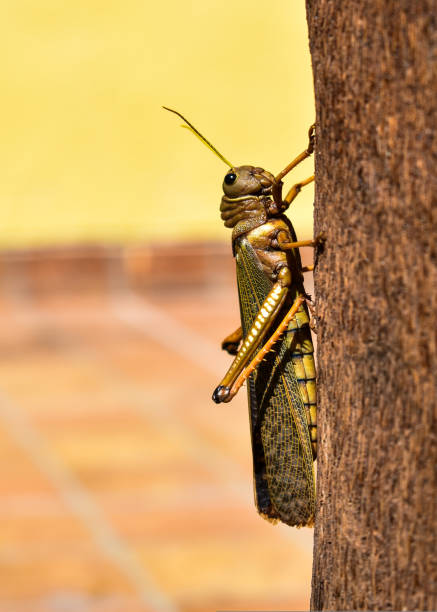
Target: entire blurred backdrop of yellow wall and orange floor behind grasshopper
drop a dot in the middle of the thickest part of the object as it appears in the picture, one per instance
(123, 487)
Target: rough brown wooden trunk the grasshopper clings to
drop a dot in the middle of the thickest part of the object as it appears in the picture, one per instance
(375, 80)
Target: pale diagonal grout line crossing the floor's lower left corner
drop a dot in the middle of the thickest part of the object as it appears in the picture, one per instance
(82, 505)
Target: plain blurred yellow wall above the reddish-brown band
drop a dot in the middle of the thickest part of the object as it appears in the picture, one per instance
(86, 152)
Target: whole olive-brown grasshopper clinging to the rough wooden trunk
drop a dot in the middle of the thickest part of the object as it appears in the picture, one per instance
(273, 348)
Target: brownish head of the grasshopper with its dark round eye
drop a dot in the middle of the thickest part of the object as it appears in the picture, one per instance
(247, 180)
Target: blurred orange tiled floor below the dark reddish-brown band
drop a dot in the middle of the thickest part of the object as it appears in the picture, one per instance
(124, 488)
